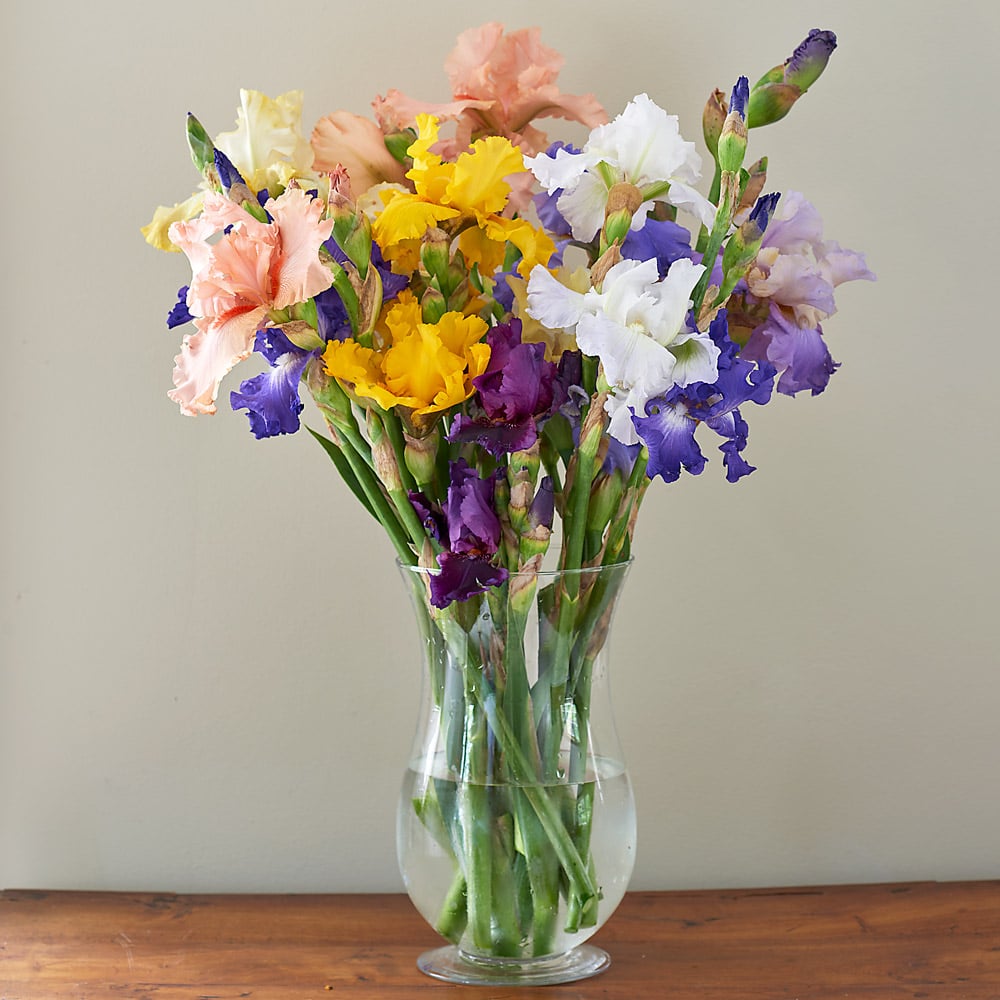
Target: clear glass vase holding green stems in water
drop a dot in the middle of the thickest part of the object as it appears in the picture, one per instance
(516, 820)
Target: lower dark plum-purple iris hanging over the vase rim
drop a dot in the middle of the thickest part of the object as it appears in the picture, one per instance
(473, 530)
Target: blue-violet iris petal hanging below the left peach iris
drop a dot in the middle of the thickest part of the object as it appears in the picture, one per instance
(271, 399)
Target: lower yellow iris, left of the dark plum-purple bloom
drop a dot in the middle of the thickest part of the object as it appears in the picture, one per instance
(426, 367)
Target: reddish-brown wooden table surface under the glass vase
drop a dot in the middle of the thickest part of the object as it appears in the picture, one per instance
(936, 940)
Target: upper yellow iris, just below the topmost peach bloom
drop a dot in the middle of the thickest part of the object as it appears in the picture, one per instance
(465, 198)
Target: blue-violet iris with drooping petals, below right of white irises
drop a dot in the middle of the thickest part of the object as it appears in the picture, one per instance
(668, 426)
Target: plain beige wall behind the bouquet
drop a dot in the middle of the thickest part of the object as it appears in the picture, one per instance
(207, 676)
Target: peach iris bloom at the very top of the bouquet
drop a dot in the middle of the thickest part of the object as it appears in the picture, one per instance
(500, 84)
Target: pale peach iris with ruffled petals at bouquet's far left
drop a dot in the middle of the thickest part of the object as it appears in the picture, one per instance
(252, 268)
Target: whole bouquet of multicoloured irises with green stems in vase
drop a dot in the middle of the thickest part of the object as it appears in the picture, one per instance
(507, 340)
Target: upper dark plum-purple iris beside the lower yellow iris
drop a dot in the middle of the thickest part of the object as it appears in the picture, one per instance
(518, 389)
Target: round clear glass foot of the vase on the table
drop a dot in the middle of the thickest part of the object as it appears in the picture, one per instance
(453, 965)
